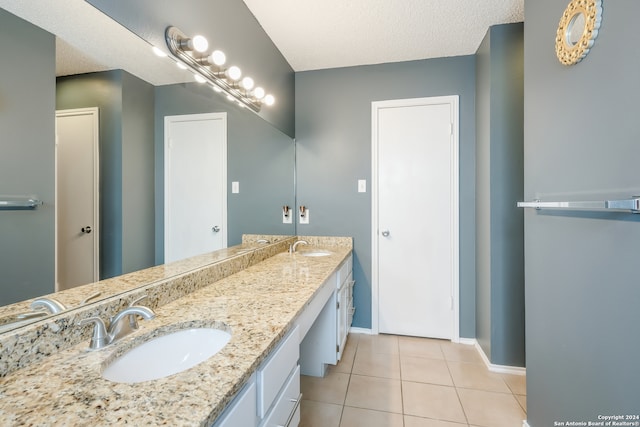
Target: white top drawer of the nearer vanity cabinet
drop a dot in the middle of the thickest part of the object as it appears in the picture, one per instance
(275, 371)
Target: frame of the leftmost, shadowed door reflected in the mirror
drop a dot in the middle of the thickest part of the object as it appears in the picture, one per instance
(94, 112)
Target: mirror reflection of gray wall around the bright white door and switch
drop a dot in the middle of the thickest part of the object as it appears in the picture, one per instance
(259, 157)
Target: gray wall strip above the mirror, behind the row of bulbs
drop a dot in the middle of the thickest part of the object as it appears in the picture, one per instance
(228, 26)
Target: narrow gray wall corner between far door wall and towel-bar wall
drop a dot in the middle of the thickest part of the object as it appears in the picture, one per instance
(499, 185)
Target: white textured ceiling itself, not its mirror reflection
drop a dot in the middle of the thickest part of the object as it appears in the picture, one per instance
(314, 34)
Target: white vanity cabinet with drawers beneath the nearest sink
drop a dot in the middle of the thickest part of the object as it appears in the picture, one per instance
(271, 397)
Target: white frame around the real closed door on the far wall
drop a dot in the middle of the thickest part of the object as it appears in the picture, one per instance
(455, 192)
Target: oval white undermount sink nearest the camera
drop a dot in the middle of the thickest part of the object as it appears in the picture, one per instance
(166, 355)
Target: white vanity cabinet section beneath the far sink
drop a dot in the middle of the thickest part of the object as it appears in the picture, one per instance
(325, 340)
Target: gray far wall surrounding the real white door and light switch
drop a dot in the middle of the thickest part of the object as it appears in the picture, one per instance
(333, 137)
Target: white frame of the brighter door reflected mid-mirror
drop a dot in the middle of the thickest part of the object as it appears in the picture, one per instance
(191, 117)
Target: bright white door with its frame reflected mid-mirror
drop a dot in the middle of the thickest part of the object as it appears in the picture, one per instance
(195, 185)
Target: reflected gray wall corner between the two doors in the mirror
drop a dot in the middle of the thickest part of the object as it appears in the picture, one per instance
(126, 164)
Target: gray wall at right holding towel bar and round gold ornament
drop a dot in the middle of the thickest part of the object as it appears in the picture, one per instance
(582, 141)
